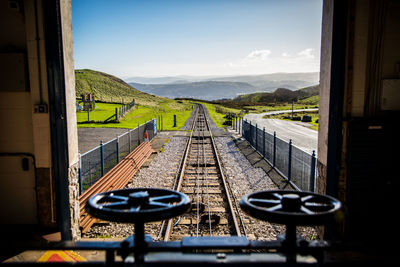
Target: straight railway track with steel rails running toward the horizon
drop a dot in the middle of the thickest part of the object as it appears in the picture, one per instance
(201, 177)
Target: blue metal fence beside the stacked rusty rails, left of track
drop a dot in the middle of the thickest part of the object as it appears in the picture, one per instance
(99, 160)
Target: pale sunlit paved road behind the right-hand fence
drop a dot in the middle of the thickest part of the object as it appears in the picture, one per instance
(302, 136)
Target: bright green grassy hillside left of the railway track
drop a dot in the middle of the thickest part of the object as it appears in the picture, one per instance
(106, 87)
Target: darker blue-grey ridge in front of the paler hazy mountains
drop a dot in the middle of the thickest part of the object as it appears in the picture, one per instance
(208, 90)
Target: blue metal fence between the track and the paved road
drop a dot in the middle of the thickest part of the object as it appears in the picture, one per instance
(293, 163)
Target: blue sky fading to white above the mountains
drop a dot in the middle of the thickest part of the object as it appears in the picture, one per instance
(216, 37)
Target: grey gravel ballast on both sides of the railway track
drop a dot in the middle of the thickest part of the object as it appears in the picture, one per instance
(242, 177)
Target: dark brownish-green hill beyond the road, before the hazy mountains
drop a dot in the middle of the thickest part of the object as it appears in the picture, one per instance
(279, 95)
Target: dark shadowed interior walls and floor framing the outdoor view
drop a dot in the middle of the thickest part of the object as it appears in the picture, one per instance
(358, 146)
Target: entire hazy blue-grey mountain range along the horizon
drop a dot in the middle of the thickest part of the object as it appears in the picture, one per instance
(217, 87)
